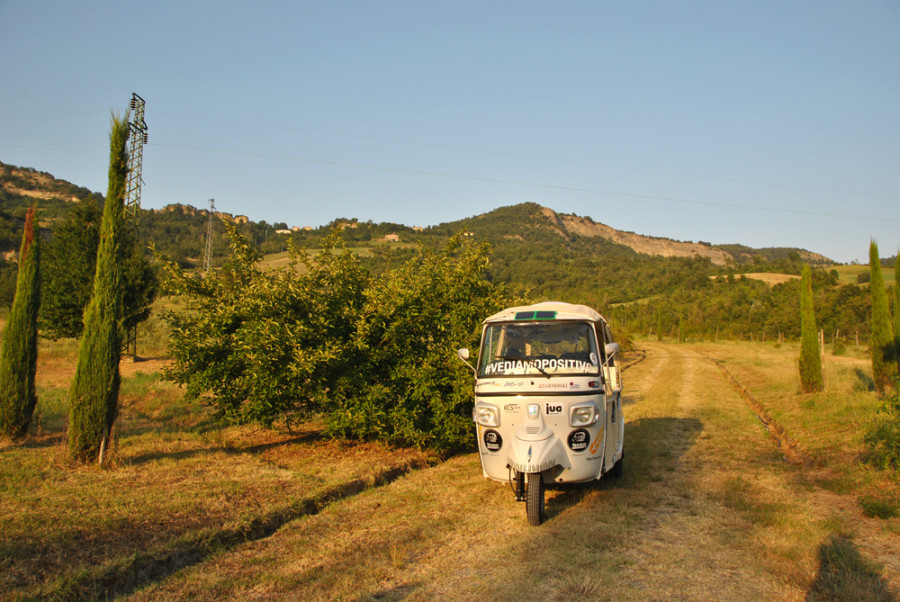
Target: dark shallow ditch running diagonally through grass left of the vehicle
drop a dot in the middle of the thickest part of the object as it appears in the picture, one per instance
(124, 576)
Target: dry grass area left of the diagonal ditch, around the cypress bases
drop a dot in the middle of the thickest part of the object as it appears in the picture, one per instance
(181, 484)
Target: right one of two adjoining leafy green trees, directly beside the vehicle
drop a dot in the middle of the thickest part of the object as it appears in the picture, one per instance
(413, 389)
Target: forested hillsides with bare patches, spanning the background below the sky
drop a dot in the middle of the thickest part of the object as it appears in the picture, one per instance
(645, 285)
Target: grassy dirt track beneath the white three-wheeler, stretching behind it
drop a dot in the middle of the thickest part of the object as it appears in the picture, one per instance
(709, 509)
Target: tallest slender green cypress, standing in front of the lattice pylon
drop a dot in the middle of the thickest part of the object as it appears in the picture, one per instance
(93, 399)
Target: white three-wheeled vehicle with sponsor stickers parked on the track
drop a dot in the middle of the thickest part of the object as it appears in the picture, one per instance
(548, 399)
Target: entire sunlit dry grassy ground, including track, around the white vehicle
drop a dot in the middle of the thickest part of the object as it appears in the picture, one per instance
(710, 506)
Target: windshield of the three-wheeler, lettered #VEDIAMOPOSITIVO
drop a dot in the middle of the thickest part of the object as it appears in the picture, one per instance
(548, 348)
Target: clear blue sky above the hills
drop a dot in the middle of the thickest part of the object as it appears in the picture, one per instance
(765, 123)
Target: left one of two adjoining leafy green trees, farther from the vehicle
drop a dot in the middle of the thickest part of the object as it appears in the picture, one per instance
(262, 345)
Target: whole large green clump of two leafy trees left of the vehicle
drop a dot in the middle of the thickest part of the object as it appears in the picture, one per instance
(377, 356)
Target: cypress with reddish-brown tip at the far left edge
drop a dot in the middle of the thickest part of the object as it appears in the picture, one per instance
(18, 359)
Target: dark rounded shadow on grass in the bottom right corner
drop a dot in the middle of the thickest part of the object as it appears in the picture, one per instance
(845, 575)
